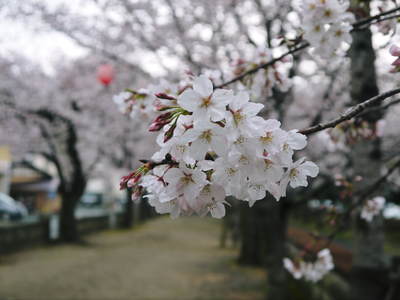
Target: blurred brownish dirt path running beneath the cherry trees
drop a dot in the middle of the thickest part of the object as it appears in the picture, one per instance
(163, 259)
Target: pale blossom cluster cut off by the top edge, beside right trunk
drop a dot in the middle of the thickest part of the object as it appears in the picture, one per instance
(327, 26)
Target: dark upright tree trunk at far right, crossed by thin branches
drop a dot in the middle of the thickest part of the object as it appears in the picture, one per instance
(369, 269)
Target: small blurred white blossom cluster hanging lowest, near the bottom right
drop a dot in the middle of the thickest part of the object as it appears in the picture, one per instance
(310, 271)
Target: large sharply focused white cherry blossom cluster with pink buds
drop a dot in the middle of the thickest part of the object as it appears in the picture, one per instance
(213, 145)
